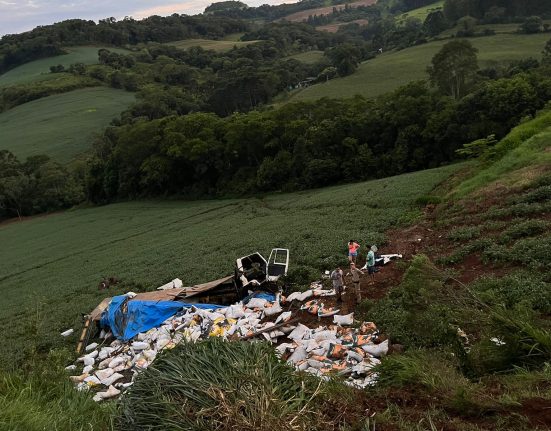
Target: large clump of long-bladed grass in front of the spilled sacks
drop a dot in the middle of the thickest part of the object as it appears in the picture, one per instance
(217, 385)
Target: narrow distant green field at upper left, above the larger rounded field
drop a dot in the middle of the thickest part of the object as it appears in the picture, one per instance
(40, 69)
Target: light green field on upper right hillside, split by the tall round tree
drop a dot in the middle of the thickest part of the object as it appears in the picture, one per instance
(390, 70)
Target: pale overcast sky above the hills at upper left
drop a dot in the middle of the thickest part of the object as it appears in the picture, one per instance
(17, 16)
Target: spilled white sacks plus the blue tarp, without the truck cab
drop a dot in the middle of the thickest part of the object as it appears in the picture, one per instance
(327, 348)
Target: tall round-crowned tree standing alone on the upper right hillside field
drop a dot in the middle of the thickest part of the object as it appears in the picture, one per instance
(454, 68)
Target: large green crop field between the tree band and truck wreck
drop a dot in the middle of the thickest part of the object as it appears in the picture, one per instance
(51, 269)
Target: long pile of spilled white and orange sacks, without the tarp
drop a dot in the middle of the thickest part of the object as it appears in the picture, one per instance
(333, 348)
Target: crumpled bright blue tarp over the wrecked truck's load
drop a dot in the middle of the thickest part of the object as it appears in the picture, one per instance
(141, 316)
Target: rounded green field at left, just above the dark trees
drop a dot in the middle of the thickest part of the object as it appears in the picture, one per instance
(62, 125)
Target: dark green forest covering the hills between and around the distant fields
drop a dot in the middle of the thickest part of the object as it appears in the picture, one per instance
(202, 124)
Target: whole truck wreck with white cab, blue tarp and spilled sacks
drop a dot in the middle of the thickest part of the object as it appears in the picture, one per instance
(308, 332)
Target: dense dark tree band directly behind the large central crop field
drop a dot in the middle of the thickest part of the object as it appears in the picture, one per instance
(304, 145)
